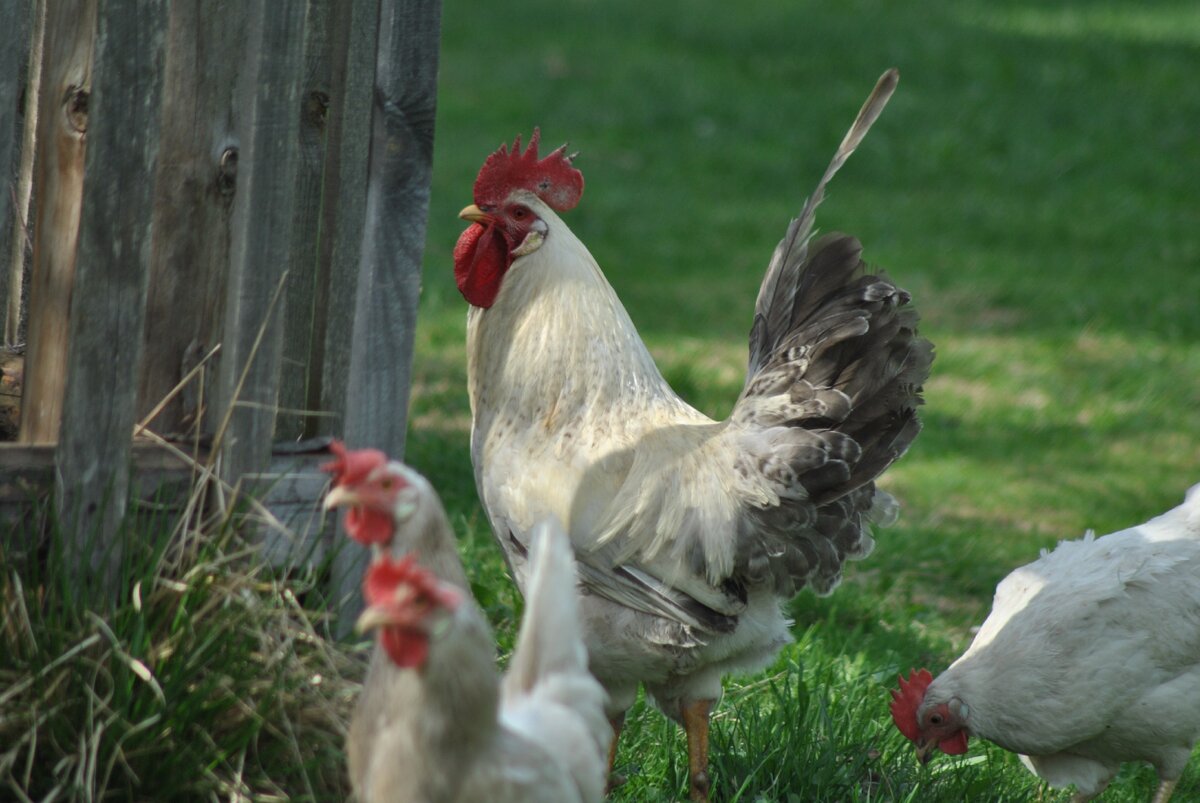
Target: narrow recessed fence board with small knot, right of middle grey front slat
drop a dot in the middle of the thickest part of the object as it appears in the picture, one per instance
(308, 239)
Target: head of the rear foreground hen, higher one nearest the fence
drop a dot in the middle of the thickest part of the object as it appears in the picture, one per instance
(377, 494)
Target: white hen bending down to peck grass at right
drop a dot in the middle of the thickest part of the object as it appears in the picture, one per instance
(1090, 658)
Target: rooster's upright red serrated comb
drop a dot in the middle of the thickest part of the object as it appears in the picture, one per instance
(553, 178)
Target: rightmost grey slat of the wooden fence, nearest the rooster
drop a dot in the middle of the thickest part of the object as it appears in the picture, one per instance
(394, 241)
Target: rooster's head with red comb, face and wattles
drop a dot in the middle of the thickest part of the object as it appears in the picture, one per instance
(512, 193)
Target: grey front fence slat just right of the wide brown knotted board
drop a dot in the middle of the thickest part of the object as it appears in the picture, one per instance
(263, 217)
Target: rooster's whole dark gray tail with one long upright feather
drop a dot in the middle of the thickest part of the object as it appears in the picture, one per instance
(843, 345)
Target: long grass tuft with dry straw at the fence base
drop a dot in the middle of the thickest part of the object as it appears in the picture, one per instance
(207, 679)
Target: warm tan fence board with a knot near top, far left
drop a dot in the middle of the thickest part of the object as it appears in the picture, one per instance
(62, 123)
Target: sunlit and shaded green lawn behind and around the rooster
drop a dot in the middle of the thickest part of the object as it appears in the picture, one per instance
(1033, 184)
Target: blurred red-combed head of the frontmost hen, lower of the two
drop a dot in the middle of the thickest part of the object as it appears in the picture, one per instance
(407, 604)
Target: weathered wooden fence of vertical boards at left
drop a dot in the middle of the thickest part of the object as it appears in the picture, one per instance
(220, 209)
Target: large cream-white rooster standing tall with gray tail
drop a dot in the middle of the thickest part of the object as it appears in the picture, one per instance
(688, 532)
